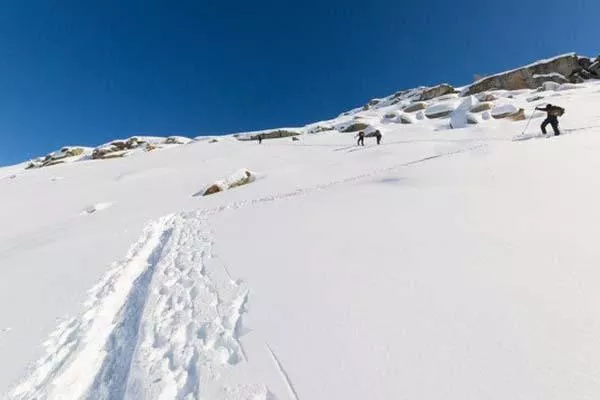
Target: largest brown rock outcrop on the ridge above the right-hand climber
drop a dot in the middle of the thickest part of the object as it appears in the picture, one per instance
(532, 76)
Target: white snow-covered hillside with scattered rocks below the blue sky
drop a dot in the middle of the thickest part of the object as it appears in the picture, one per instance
(448, 262)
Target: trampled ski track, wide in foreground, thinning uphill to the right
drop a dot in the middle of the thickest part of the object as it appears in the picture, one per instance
(165, 321)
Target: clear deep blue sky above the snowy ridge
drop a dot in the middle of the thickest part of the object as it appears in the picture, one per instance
(85, 72)
